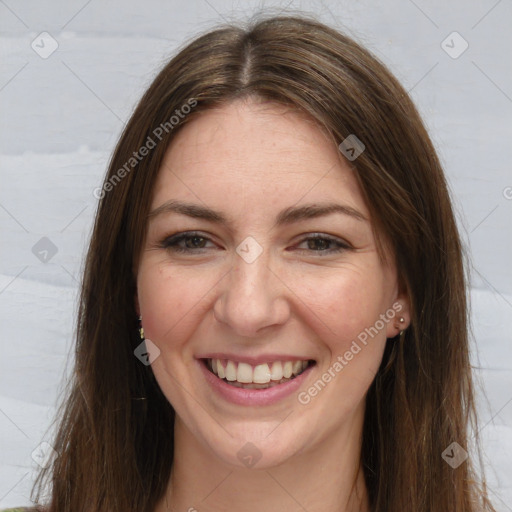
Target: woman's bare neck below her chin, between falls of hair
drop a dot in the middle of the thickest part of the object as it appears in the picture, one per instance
(326, 478)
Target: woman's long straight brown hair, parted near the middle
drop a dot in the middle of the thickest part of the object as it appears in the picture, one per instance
(115, 436)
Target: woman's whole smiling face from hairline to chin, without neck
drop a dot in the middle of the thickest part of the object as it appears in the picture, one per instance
(260, 256)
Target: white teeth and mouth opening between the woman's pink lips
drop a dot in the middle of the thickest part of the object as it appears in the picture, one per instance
(262, 376)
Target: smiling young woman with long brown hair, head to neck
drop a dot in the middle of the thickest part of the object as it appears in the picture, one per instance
(276, 224)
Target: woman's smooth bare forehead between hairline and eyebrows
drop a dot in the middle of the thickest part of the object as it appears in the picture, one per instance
(249, 156)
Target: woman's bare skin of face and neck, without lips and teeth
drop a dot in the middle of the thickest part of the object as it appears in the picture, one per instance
(303, 296)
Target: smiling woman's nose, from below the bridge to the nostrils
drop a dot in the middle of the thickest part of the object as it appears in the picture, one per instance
(252, 298)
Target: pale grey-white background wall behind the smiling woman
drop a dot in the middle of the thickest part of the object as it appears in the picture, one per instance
(61, 116)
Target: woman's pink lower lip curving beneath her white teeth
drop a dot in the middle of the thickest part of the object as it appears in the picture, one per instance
(241, 396)
